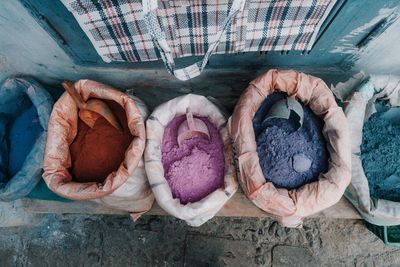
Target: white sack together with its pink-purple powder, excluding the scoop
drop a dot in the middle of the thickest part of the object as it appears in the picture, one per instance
(192, 181)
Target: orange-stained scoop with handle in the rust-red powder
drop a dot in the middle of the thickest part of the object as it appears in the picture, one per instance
(93, 109)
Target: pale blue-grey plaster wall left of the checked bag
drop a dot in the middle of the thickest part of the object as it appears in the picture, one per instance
(27, 49)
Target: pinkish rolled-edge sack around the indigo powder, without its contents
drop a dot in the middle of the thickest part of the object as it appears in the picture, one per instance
(289, 207)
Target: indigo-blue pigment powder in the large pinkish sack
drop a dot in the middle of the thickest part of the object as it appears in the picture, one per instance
(290, 158)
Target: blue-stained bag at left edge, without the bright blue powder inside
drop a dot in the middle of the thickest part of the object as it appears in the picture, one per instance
(16, 96)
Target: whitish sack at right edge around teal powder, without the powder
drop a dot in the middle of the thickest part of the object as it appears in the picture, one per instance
(359, 107)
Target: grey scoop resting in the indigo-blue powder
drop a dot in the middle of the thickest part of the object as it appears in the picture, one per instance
(287, 108)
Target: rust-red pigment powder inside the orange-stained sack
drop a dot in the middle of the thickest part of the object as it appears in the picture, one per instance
(96, 152)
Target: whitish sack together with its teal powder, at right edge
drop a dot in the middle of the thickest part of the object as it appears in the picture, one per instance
(373, 148)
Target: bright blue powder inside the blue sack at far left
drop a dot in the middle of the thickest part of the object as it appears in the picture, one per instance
(24, 131)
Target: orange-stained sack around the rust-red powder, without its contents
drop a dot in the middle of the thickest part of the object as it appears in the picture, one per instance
(125, 189)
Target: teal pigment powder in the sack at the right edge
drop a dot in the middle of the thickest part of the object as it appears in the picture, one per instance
(380, 149)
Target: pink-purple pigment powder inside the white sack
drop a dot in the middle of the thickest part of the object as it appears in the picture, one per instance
(195, 169)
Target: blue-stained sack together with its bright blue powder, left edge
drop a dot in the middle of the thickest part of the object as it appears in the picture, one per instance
(25, 108)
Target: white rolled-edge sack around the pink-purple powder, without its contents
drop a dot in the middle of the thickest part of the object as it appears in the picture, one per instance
(195, 214)
